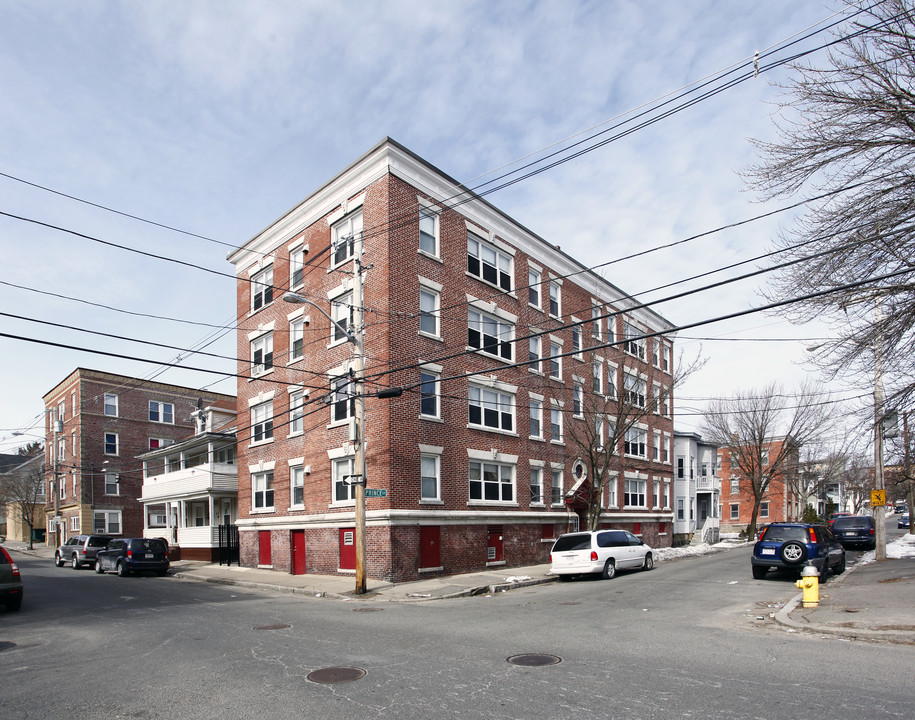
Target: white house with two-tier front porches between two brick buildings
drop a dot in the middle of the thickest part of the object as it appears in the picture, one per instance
(190, 488)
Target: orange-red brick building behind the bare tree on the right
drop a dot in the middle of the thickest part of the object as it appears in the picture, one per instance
(781, 503)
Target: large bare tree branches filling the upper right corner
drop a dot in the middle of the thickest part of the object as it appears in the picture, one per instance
(847, 129)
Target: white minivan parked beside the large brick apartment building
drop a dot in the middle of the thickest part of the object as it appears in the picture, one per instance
(598, 551)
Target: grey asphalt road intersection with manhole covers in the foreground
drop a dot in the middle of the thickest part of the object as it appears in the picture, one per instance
(691, 639)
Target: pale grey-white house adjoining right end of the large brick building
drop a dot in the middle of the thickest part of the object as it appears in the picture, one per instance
(697, 489)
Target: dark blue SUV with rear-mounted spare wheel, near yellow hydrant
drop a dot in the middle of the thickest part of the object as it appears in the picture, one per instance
(789, 546)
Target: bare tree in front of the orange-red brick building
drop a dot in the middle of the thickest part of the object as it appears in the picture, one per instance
(746, 425)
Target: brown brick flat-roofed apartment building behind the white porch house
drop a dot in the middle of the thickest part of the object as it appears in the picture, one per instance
(97, 424)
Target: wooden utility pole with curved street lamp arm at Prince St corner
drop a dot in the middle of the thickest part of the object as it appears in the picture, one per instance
(355, 336)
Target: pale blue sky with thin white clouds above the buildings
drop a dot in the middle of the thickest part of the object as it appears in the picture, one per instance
(214, 118)
